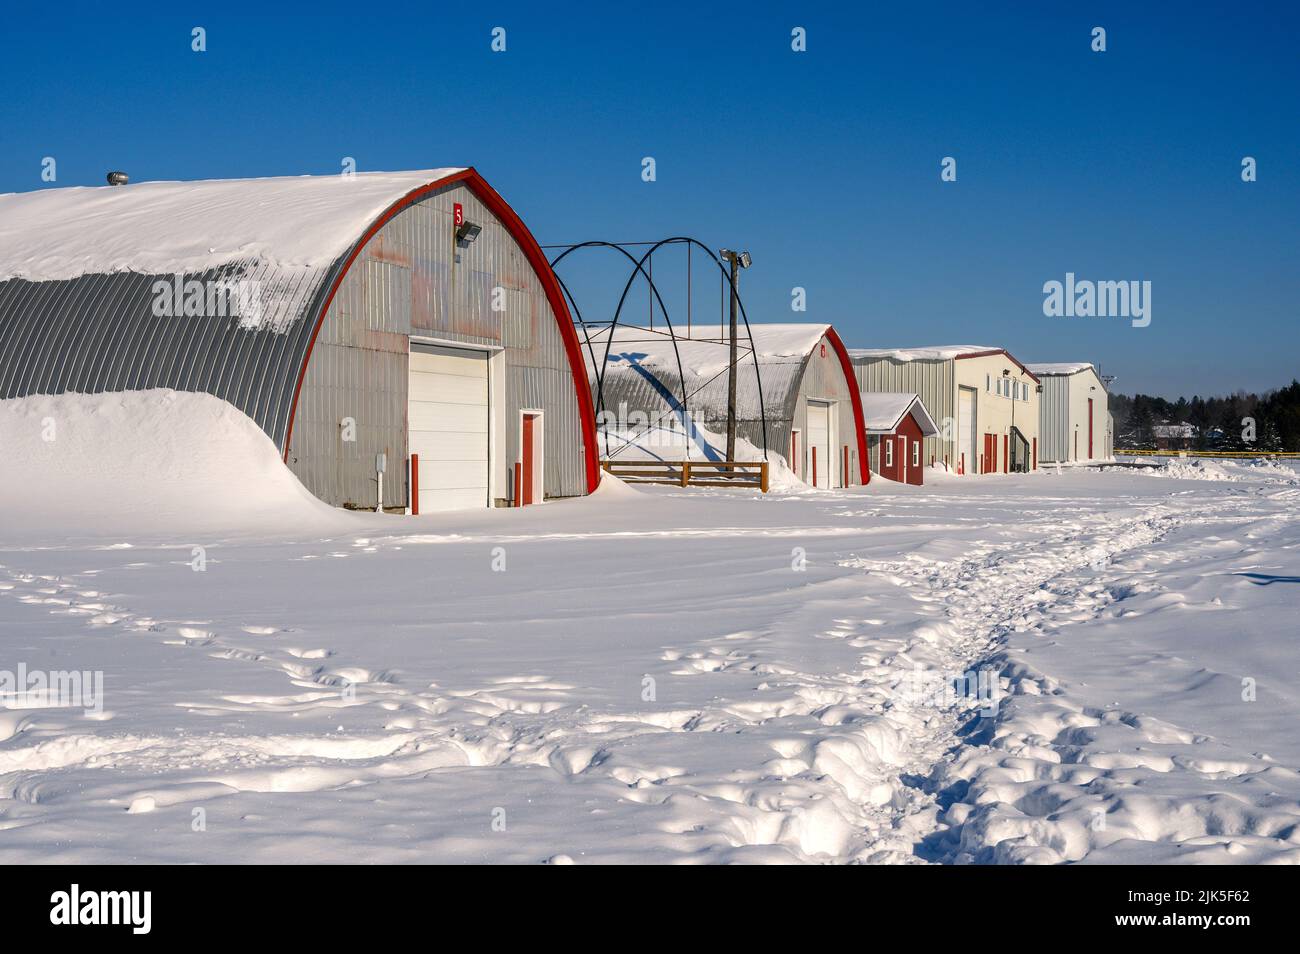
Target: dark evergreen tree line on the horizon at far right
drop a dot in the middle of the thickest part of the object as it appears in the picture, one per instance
(1240, 422)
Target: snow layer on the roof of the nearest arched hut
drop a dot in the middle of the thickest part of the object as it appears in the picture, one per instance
(171, 228)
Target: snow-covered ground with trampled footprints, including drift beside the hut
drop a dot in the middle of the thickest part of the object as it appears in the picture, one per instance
(648, 675)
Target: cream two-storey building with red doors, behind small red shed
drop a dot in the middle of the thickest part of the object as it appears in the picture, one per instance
(985, 400)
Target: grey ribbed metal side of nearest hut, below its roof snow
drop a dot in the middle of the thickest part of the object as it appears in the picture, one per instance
(98, 333)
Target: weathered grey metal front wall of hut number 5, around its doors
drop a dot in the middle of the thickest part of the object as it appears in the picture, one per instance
(408, 281)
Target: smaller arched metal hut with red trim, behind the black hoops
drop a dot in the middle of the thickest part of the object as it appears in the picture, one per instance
(809, 397)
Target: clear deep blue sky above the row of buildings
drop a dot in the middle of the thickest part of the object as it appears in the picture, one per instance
(825, 166)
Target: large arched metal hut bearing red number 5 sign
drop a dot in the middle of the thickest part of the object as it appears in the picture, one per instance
(359, 320)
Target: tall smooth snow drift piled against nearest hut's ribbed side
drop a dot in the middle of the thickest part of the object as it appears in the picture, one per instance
(154, 462)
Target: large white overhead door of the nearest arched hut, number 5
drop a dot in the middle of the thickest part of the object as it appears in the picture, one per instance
(448, 427)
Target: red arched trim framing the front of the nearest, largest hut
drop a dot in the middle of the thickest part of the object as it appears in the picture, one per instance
(536, 258)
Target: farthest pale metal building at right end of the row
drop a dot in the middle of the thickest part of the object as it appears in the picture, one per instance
(1074, 419)
